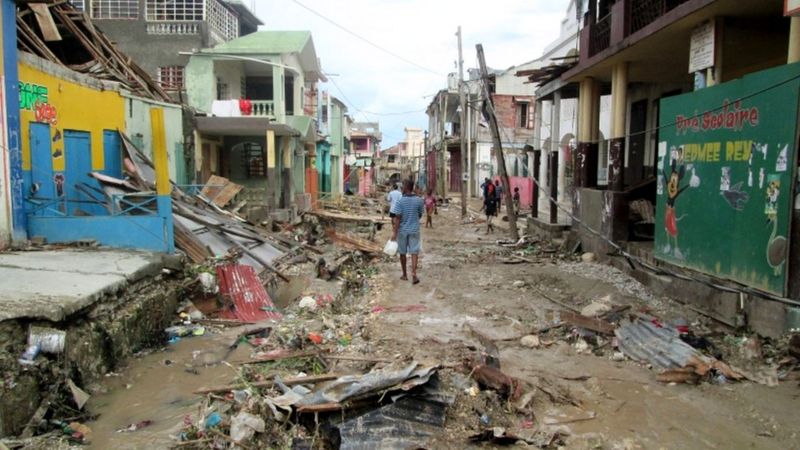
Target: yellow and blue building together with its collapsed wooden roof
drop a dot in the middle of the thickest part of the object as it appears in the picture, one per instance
(74, 153)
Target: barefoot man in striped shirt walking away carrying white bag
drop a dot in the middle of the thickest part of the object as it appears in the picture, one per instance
(407, 213)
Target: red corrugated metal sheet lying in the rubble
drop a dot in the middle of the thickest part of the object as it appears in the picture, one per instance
(240, 286)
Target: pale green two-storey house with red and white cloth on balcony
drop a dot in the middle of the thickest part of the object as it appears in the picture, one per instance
(256, 124)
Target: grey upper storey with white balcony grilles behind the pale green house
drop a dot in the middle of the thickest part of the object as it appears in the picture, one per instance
(159, 34)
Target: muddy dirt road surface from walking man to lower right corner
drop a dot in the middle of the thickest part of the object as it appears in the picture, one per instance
(465, 286)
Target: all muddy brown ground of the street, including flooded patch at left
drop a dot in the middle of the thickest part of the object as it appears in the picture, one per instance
(468, 294)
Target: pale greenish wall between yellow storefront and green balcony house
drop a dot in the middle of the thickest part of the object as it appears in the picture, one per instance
(137, 124)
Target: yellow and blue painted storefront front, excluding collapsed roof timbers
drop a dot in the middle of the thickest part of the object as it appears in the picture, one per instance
(70, 128)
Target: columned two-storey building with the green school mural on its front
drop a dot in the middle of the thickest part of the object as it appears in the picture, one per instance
(703, 140)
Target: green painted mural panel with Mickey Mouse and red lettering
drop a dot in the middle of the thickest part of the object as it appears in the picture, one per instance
(725, 178)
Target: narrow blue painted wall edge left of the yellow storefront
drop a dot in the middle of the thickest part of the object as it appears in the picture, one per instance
(12, 114)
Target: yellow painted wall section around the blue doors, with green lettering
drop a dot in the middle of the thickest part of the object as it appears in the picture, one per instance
(77, 107)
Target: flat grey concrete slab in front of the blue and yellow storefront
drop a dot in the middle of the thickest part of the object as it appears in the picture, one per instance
(53, 285)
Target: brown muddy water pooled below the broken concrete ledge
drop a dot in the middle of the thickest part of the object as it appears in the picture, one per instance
(158, 387)
